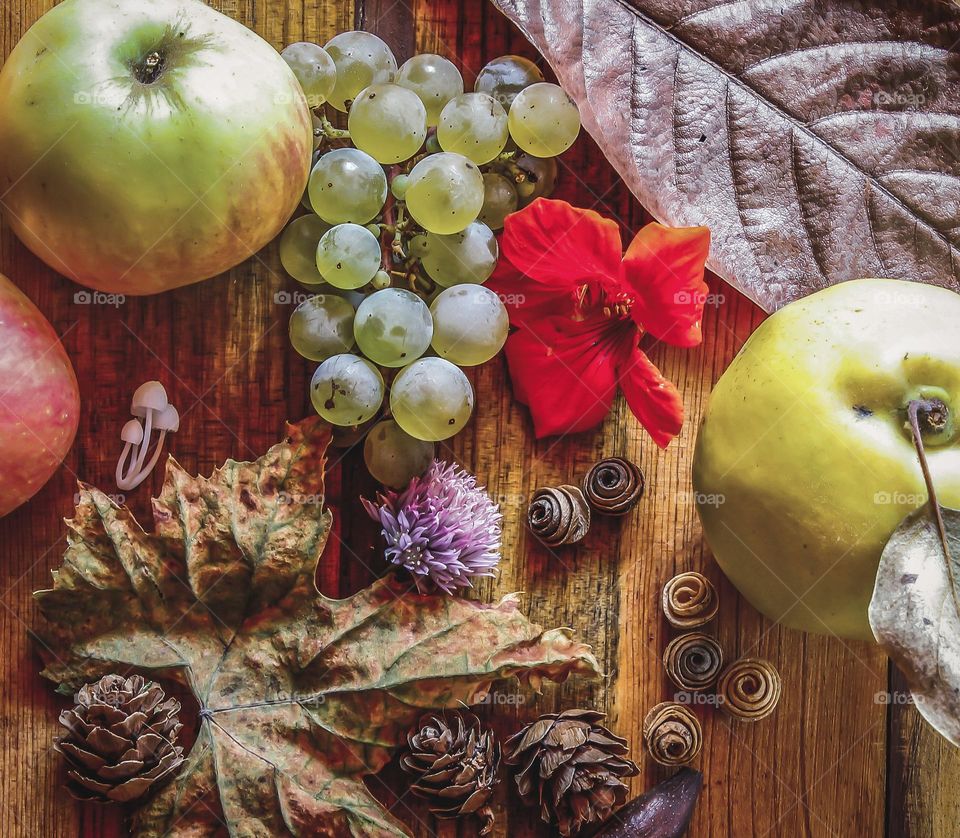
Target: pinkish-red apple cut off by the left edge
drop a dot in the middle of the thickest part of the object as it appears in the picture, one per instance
(39, 400)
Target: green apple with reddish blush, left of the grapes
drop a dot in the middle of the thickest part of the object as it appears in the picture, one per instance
(147, 144)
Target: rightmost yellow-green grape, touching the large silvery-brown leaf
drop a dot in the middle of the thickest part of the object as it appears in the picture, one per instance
(544, 120)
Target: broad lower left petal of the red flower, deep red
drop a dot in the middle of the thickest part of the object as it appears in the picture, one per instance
(565, 372)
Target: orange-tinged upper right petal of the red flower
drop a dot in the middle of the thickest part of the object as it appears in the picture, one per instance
(664, 268)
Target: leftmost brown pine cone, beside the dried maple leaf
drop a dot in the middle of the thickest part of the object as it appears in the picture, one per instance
(121, 740)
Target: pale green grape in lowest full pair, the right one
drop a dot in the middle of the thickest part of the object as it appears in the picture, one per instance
(431, 399)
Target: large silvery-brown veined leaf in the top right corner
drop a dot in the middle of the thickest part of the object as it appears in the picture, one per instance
(818, 139)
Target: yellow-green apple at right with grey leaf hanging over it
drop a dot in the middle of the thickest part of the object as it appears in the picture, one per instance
(804, 464)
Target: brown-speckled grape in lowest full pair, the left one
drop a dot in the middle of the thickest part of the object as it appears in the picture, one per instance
(347, 390)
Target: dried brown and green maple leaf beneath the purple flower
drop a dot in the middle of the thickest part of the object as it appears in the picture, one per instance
(300, 695)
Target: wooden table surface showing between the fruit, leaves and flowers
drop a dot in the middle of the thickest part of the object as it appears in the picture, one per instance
(837, 759)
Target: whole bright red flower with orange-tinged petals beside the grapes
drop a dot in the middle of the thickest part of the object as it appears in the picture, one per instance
(581, 306)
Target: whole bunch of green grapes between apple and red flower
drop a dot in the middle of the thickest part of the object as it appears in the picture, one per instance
(399, 236)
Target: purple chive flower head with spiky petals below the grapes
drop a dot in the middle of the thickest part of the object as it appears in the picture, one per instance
(442, 529)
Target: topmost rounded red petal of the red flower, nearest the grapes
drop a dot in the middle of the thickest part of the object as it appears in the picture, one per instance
(562, 246)
